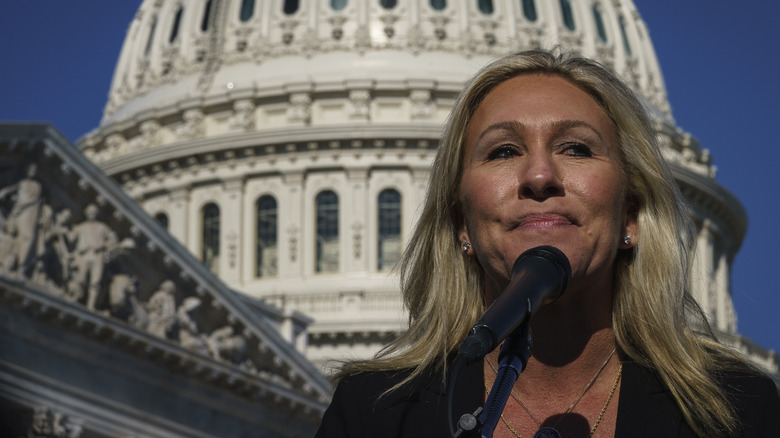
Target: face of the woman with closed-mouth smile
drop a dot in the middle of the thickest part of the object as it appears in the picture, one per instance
(541, 167)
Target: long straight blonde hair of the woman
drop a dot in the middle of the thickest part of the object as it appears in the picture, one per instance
(654, 314)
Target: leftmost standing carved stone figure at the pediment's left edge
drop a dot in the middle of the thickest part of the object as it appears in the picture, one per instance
(22, 222)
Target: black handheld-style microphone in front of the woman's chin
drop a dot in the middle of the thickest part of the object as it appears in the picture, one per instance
(539, 276)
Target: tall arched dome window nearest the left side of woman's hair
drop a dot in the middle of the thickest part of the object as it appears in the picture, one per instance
(389, 229)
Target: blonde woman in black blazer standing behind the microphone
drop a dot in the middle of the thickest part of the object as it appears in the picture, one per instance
(547, 150)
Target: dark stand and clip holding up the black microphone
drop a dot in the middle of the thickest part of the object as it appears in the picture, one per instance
(512, 360)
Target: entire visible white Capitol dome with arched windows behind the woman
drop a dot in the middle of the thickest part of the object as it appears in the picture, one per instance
(287, 143)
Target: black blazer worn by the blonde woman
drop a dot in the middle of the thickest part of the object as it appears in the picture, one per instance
(645, 409)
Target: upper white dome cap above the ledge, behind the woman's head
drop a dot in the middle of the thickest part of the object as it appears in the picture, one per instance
(209, 51)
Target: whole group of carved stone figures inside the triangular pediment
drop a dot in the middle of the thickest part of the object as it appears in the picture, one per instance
(82, 262)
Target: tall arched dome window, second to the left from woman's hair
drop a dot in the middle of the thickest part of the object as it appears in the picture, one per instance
(327, 206)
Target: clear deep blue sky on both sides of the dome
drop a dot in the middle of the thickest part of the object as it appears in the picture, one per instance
(720, 61)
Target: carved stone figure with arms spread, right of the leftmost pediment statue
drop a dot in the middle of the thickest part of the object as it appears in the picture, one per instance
(94, 242)
